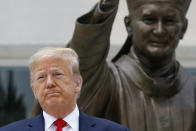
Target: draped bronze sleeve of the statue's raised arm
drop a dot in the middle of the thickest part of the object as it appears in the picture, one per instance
(99, 93)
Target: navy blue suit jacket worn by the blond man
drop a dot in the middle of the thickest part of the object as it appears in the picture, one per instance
(86, 123)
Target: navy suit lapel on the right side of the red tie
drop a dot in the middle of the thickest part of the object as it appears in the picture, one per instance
(86, 123)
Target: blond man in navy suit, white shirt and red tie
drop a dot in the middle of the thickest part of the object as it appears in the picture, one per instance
(56, 83)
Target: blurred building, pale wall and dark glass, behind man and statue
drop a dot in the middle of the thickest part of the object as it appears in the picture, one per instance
(27, 25)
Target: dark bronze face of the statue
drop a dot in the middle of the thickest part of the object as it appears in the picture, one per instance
(157, 29)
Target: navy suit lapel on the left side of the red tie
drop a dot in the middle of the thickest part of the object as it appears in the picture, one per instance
(37, 123)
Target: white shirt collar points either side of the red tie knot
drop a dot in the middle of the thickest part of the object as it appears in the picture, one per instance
(72, 119)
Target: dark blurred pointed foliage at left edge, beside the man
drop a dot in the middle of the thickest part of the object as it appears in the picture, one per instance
(11, 107)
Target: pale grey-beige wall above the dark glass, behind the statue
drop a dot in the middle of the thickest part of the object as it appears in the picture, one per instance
(26, 25)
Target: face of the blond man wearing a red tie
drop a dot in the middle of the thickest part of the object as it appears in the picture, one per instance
(54, 84)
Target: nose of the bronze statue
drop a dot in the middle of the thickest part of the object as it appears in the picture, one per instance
(159, 29)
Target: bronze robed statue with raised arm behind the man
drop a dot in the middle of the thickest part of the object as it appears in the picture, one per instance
(144, 88)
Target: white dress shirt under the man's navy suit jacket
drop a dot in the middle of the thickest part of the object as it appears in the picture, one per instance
(72, 120)
